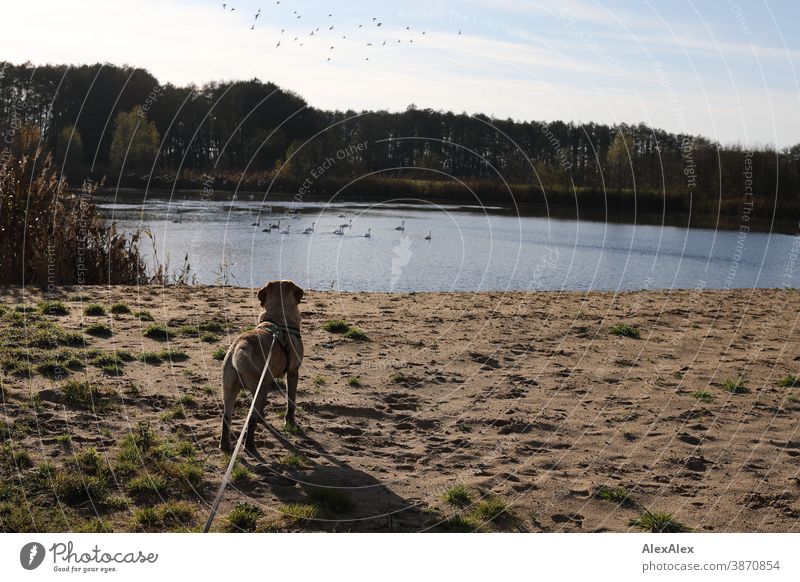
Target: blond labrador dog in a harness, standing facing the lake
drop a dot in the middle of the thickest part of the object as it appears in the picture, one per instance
(247, 356)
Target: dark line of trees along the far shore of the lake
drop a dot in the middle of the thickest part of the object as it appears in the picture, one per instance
(120, 122)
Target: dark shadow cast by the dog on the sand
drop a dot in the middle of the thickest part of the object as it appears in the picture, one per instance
(347, 498)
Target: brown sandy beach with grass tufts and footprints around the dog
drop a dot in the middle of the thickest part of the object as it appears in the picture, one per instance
(527, 400)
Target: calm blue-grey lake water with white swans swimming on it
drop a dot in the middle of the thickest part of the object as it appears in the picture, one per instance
(470, 249)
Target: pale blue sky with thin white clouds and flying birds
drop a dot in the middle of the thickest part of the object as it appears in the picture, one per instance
(725, 69)
